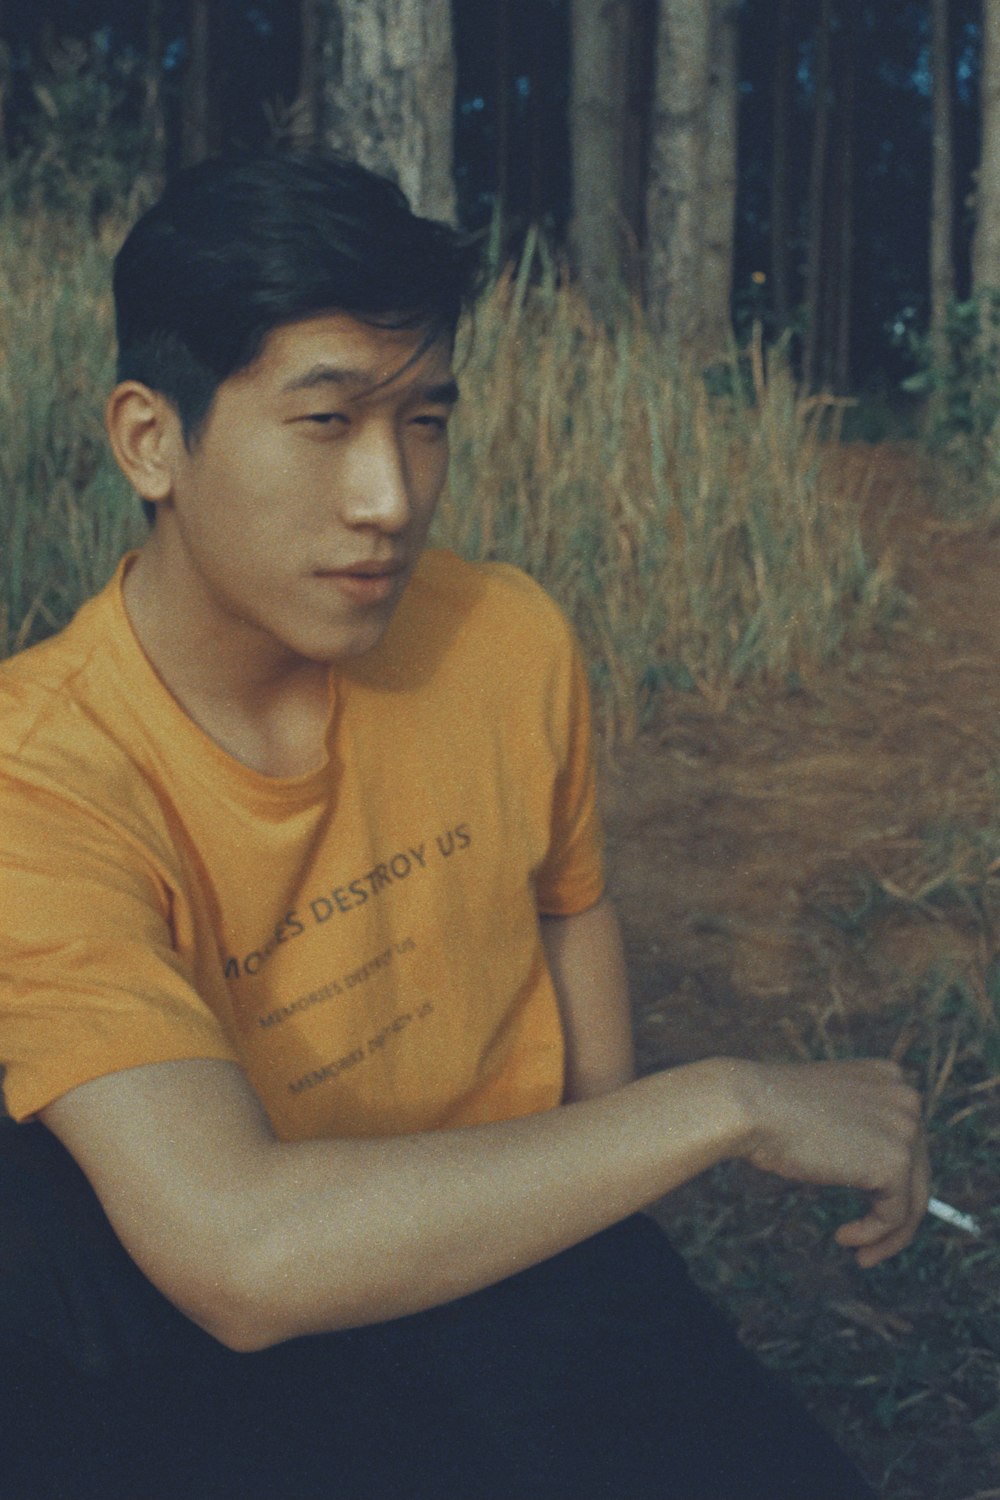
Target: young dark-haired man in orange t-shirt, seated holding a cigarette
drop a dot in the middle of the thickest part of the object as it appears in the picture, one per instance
(329, 1156)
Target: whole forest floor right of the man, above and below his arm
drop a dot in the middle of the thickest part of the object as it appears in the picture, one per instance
(818, 875)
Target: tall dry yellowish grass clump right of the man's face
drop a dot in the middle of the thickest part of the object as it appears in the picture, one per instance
(695, 539)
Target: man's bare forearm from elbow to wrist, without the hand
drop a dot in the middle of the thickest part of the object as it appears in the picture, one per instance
(359, 1232)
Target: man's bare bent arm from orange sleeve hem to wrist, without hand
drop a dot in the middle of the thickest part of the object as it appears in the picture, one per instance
(260, 1240)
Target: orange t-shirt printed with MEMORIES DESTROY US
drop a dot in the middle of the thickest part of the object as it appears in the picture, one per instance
(364, 941)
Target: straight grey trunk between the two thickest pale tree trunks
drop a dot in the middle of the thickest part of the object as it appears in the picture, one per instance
(597, 145)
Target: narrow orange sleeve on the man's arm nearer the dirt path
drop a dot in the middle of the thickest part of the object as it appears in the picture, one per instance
(572, 877)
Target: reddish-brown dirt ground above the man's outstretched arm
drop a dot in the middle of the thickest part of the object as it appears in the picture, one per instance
(746, 839)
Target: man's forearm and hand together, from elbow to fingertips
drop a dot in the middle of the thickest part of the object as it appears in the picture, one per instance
(382, 1229)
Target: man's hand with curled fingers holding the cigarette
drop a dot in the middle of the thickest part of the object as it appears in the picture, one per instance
(849, 1124)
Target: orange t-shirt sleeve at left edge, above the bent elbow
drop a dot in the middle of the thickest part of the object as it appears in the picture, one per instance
(92, 980)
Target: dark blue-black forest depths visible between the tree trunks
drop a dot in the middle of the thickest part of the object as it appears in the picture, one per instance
(88, 71)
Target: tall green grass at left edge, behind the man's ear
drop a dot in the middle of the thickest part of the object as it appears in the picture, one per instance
(65, 512)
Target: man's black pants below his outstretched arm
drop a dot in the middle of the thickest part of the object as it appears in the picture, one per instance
(602, 1375)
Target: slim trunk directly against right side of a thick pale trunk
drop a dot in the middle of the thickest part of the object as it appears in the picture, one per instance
(720, 179)
